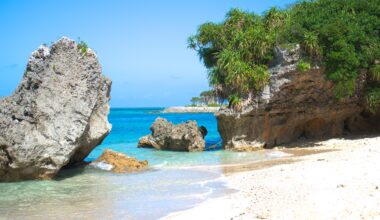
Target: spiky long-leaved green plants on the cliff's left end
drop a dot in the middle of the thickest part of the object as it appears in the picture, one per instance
(237, 50)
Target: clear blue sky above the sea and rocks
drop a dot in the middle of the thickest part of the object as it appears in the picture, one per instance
(141, 44)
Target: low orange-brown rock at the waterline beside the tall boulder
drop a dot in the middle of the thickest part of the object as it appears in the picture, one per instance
(118, 162)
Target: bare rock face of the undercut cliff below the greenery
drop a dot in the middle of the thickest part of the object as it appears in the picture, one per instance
(294, 104)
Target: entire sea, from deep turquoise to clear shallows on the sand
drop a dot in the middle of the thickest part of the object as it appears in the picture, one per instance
(175, 180)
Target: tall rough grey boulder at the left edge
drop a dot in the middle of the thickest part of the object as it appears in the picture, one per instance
(57, 115)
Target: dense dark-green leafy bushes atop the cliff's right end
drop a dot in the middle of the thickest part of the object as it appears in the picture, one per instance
(344, 34)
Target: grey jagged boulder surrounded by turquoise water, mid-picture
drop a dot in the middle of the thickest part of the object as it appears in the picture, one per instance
(182, 137)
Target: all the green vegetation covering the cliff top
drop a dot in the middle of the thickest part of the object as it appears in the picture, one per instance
(343, 36)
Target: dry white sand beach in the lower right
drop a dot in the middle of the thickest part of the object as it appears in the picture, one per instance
(342, 184)
